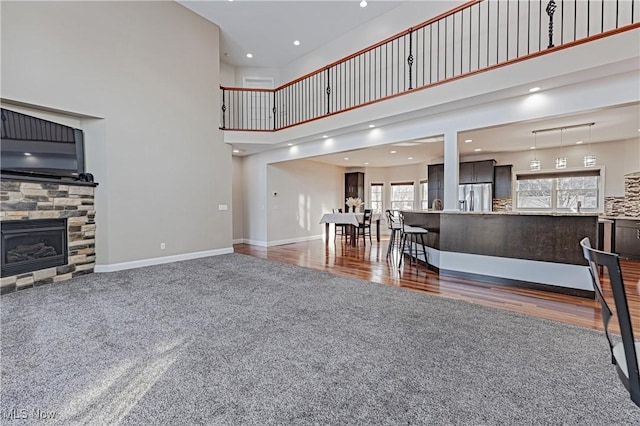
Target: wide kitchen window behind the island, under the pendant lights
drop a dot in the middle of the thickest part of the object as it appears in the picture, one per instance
(559, 191)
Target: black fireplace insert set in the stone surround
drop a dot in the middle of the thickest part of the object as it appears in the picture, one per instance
(31, 245)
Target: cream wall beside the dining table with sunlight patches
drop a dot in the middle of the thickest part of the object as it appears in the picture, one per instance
(305, 190)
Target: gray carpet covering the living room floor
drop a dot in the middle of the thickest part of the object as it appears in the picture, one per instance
(239, 340)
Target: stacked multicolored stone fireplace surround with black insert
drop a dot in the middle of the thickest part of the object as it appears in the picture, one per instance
(48, 232)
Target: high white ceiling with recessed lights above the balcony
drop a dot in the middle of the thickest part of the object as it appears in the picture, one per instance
(267, 29)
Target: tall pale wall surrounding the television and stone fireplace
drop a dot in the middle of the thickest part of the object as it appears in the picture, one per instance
(142, 78)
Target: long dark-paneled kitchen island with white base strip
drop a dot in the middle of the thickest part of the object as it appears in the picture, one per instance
(537, 250)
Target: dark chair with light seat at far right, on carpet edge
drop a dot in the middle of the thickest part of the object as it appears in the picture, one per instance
(624, 353)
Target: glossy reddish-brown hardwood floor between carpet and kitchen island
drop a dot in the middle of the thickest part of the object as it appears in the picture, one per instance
(370, 263)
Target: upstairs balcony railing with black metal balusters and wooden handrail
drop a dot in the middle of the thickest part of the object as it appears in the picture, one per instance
(477, 36)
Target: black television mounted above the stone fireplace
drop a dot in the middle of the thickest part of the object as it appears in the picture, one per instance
(36, 147)
